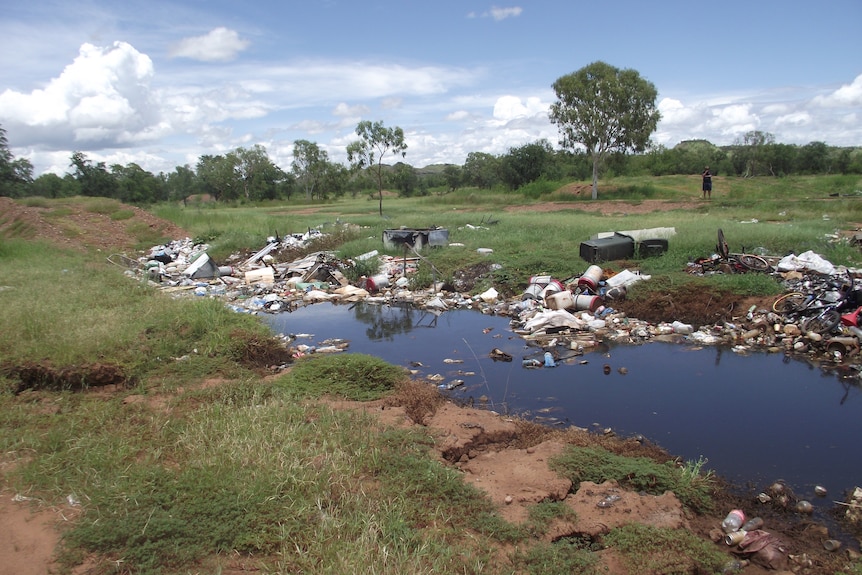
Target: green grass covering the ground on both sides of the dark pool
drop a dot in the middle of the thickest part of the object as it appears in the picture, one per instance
(199, 460)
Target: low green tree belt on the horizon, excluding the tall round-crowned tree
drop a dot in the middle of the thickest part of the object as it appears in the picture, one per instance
(249, 175)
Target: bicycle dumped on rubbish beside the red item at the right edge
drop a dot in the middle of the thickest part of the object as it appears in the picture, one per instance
(820, 313)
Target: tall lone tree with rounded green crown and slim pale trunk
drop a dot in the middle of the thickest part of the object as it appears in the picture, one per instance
(604, 109)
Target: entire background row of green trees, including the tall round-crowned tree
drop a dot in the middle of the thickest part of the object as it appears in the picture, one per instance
(605, 118)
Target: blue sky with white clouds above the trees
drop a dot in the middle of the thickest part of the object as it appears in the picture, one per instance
(161, 82)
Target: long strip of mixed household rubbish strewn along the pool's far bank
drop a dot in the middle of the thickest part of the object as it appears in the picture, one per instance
(560, 318)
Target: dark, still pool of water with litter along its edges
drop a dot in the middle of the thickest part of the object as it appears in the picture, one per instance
(756, 418)
